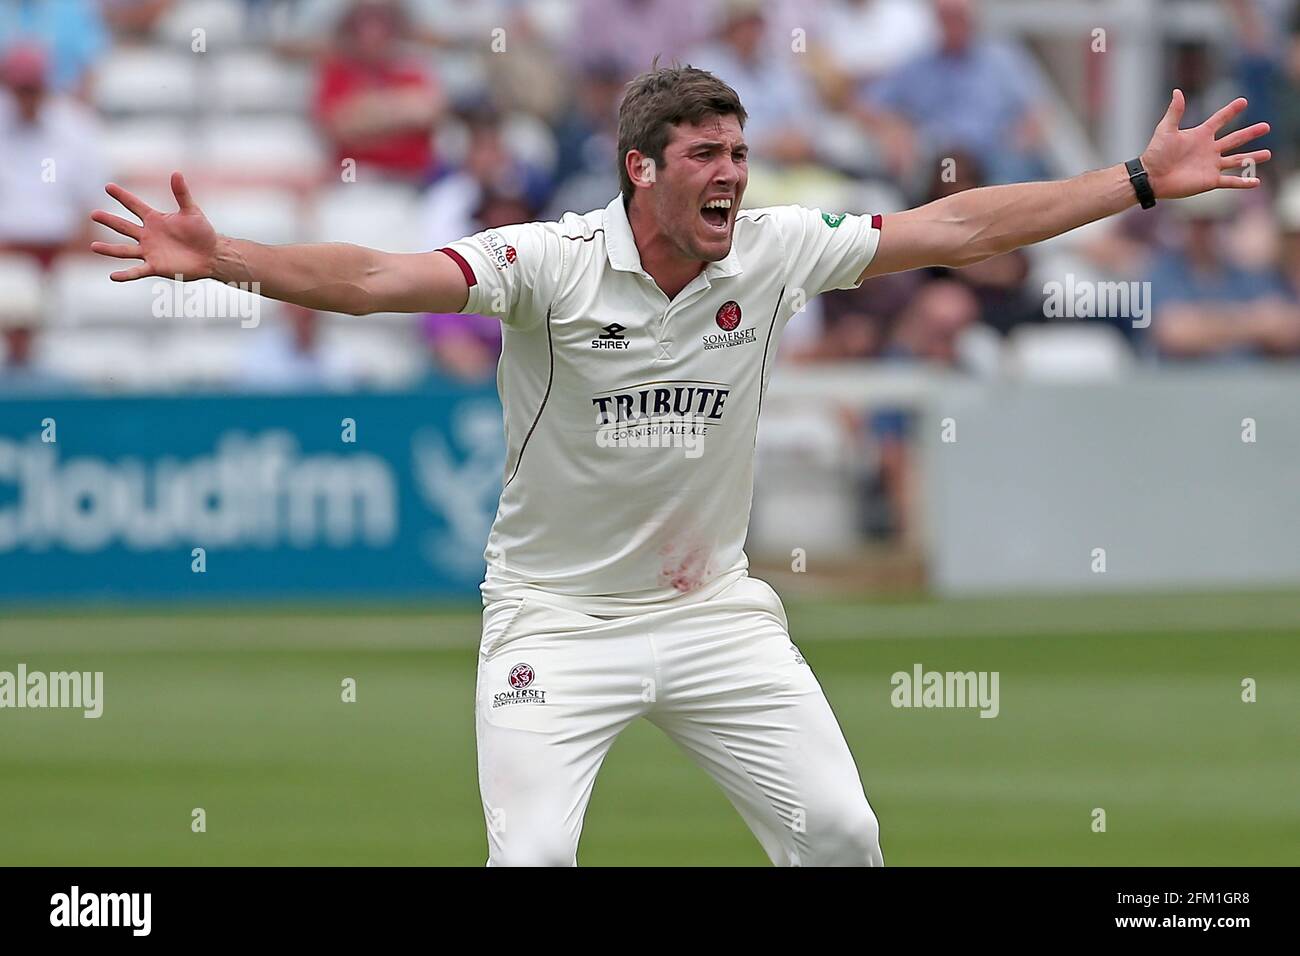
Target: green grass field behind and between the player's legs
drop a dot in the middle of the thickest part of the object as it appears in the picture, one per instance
(1129, 704)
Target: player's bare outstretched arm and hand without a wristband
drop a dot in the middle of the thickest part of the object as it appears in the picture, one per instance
(331, 276)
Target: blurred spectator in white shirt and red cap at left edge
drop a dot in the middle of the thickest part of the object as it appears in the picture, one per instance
(51, 167)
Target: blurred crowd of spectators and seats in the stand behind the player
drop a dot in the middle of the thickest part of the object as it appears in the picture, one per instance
(462, 115)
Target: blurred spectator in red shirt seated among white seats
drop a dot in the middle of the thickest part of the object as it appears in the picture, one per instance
(375, 106)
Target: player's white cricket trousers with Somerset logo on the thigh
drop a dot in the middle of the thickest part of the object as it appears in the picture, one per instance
(722, 678)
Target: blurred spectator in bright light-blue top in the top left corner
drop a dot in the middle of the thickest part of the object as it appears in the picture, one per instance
(71, 32)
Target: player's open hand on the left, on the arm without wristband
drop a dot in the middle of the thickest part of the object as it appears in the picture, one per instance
(172, 244)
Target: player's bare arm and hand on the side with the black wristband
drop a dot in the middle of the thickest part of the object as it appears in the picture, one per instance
(978, 224)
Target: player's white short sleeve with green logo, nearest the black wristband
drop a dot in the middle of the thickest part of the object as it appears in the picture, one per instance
(826, 250)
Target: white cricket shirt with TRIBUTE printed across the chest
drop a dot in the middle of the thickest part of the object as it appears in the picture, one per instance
(631, 421)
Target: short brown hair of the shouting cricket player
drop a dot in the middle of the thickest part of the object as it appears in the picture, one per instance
(658, 101)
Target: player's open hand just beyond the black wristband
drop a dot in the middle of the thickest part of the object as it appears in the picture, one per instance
(1184, 163)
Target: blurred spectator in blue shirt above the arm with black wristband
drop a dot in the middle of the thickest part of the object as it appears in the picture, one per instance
(970, 94)
